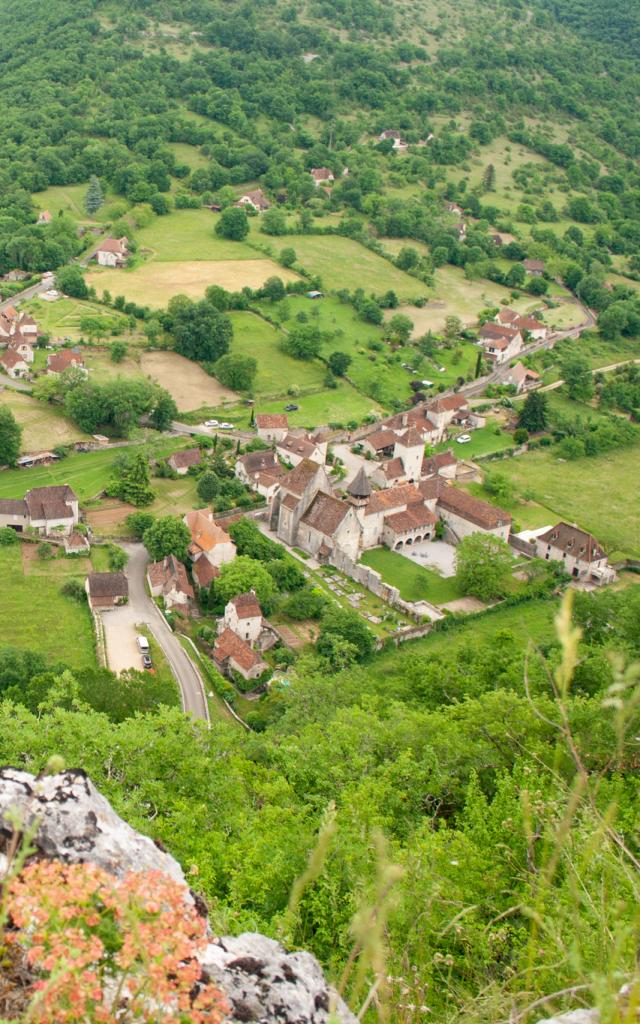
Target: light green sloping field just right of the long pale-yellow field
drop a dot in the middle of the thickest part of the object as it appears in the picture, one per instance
(345, 264)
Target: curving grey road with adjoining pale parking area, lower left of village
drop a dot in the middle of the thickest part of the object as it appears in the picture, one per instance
(120, 632)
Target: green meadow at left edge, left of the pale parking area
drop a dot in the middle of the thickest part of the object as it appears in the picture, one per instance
(35, 616)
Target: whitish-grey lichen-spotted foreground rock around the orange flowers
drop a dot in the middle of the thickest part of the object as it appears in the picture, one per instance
(75, 824)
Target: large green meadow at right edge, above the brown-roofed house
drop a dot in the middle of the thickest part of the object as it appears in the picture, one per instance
(601, 493)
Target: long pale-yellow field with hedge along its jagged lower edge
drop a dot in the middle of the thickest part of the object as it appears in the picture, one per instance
(155, 283)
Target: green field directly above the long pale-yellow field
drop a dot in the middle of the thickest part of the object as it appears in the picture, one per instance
(189, 235)
